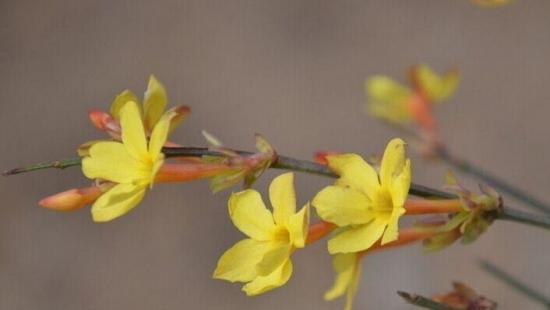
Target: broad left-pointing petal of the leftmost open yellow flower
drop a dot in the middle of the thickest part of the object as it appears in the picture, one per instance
(110, 161)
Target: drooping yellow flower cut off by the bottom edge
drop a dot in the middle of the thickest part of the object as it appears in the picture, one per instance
(348, 274)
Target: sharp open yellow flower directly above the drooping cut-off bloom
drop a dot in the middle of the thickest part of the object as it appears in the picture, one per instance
(365, 204)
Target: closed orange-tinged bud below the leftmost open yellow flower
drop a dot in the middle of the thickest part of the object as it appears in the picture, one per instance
(72, 199)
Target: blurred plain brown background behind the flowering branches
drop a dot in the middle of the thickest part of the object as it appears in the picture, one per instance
(292, 70)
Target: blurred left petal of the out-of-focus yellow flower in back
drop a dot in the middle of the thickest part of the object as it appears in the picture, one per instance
(388, 99)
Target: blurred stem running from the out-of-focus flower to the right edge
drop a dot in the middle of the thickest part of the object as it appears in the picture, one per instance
(492, 180)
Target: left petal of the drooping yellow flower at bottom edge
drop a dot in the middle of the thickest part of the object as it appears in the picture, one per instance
(344, 265)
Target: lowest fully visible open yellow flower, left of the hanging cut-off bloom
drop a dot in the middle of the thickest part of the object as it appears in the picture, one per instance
(263, 259)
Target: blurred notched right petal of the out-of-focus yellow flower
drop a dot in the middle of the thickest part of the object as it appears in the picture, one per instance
(437, 88)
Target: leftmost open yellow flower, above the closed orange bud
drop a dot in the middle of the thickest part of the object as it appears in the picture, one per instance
(131, 164)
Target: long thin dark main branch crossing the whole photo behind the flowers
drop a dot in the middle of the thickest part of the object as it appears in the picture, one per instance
(288, 163)
